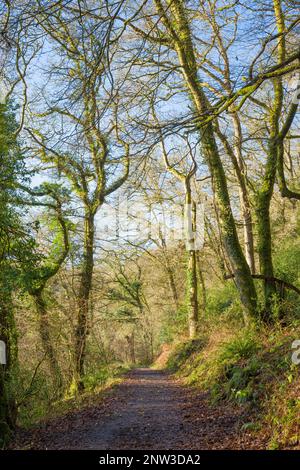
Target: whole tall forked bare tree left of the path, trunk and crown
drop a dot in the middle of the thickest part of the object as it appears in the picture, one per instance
(85, 145)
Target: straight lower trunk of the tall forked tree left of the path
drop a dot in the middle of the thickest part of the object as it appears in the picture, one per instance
(83, 301)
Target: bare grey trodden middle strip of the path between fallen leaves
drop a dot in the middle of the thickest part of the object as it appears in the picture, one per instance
(151, 415)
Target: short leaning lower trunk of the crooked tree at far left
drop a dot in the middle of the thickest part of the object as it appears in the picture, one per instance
(47, 344)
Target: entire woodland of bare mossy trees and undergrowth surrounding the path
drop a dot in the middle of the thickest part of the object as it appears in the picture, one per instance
(157, 103)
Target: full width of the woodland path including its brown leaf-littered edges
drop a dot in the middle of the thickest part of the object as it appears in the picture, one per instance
(149, 410)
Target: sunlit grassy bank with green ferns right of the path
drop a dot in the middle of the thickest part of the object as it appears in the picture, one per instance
(251, 368)
